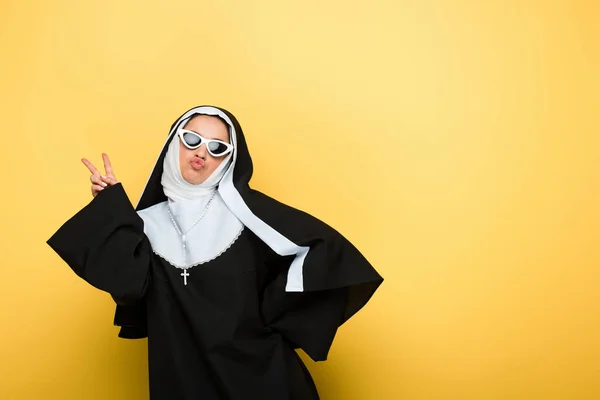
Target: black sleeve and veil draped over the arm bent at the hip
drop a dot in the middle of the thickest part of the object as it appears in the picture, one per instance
(338, 281)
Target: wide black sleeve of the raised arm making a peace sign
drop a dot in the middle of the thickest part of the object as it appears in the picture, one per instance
(104, 243)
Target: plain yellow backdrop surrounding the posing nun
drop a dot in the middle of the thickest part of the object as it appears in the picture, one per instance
(456, 143)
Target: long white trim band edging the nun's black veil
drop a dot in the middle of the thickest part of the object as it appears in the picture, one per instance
(234, 202)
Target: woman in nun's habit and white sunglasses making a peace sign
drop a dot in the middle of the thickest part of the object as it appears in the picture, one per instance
(223, 280)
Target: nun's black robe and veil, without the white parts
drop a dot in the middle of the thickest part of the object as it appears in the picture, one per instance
(230, 333)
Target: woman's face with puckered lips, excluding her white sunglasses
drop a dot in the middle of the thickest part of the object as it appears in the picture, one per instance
(198, 164)
